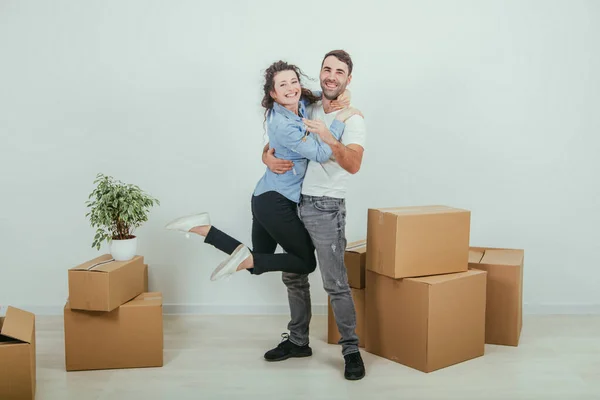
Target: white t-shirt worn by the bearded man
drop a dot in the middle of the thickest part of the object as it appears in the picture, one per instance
(328, 178)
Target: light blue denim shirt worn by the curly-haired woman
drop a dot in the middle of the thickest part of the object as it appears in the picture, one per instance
(291, 141)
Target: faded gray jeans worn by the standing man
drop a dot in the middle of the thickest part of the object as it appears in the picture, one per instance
(325, 220)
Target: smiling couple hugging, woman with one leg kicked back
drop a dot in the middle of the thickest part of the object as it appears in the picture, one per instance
(316, 141)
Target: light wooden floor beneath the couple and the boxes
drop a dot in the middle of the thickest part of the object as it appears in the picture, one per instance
(210, 357)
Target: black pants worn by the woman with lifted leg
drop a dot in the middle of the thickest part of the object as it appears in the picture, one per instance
(274, 221)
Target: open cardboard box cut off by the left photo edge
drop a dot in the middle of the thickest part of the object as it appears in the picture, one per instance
(17, 355)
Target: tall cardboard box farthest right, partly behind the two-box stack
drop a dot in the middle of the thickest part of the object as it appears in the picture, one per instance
(504, 305)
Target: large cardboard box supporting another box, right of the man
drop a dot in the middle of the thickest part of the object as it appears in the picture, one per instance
(426, 323)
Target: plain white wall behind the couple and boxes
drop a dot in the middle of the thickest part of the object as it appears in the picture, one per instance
(491, 106)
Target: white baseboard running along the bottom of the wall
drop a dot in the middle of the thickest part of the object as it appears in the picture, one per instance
(317, 309)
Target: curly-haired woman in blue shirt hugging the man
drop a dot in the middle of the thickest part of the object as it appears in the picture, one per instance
(274, 202)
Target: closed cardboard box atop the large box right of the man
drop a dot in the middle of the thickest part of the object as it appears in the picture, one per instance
(418, 241)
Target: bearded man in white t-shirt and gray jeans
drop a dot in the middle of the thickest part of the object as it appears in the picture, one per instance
(323, 212)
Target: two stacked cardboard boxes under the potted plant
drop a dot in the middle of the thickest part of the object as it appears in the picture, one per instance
(110, 319)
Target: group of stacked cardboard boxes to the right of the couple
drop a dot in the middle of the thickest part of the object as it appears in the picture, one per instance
(431, 301)
